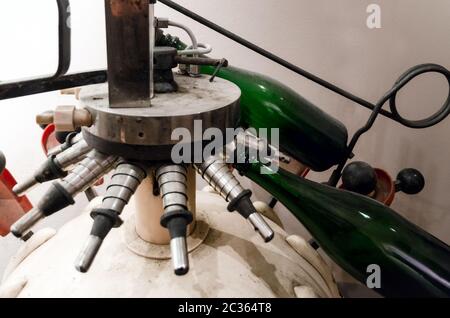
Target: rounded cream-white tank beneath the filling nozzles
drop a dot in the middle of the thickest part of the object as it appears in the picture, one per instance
(227, 259)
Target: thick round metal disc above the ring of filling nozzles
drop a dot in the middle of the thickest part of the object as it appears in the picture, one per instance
(215, 104)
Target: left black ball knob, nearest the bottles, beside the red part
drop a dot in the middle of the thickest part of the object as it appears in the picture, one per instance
(359, 177)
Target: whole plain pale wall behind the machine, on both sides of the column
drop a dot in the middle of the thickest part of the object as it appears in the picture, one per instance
(328, 38)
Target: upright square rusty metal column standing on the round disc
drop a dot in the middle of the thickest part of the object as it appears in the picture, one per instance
(129, 53)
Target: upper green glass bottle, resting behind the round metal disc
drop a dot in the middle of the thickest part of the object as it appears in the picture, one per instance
(306, 132)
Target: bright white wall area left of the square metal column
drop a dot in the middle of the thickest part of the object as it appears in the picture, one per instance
(28, 33)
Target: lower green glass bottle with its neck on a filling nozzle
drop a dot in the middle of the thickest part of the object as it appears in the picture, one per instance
(356, 232)
